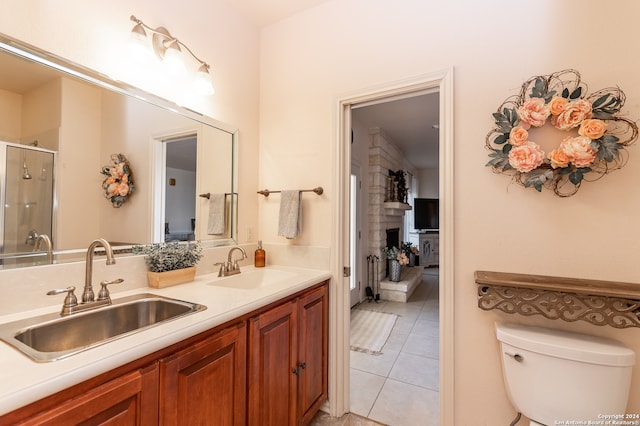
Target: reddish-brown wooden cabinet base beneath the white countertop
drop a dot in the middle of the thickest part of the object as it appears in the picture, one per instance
(276, 355)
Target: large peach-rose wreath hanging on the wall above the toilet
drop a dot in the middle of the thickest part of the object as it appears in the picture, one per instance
(596, 149)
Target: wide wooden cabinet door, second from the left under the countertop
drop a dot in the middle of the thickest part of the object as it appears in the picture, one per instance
(206, 383)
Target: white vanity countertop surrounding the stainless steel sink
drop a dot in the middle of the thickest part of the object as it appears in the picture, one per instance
(23, 380)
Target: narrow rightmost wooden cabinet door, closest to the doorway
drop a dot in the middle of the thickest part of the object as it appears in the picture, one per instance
(312, 356)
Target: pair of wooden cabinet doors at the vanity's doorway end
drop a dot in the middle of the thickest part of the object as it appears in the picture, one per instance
(288, 361)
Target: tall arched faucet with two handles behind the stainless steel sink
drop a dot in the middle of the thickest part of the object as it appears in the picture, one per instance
(70, 304)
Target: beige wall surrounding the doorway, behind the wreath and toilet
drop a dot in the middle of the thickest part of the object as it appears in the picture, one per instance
(342, 46)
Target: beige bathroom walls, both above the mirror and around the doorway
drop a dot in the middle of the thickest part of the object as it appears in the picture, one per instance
(307, 62)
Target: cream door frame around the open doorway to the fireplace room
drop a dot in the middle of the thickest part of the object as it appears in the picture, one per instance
(339, 305)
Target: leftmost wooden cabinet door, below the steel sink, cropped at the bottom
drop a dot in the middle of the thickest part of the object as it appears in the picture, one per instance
(131, 399)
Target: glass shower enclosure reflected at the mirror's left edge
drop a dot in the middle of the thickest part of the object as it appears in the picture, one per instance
(27, 194)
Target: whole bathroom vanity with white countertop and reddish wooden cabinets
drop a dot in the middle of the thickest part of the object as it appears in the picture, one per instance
(256, 355)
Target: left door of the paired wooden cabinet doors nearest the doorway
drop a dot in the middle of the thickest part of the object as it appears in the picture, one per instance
(273, 367)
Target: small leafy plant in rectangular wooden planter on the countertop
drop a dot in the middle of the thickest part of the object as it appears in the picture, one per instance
(170, 263)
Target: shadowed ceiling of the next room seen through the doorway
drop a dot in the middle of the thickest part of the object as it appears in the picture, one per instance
(411, 123)
